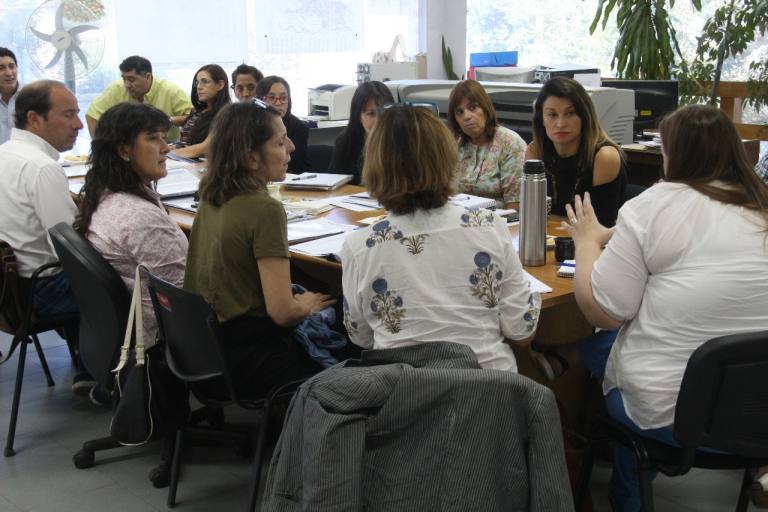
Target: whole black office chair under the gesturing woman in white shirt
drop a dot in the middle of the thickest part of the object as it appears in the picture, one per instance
(722, 405)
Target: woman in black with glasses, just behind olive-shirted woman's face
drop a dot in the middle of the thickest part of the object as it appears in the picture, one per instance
(277, 93)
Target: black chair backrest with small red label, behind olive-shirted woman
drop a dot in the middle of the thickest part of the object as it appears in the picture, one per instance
(192, 348)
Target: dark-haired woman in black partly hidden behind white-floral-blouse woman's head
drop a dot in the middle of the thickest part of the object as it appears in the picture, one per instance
(363, 112)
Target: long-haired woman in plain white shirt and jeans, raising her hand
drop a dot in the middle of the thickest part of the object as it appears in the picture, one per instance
(671, 275)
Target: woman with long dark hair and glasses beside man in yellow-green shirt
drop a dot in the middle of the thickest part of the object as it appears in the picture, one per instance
(210, 92)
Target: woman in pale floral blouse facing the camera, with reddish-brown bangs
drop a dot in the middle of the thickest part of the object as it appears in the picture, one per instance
(490, 156)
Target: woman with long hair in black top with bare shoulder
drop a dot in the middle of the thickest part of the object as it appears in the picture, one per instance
(578, 155)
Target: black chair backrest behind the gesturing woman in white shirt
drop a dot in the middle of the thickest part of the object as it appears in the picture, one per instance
(723, 400)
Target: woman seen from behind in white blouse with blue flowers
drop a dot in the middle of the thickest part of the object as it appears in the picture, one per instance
(431, 271)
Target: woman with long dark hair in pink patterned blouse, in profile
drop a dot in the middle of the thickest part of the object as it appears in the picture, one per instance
(119, 213)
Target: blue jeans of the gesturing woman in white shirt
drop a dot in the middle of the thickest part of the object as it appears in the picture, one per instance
(625, 483)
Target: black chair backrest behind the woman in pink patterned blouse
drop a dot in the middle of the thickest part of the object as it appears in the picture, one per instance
(103, 299)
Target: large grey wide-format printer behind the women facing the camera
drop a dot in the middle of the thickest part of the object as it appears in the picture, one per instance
(514, 103)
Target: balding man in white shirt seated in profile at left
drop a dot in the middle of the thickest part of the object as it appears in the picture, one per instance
(34, 192)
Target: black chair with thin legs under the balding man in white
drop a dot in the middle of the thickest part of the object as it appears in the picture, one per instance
(18, 320)
